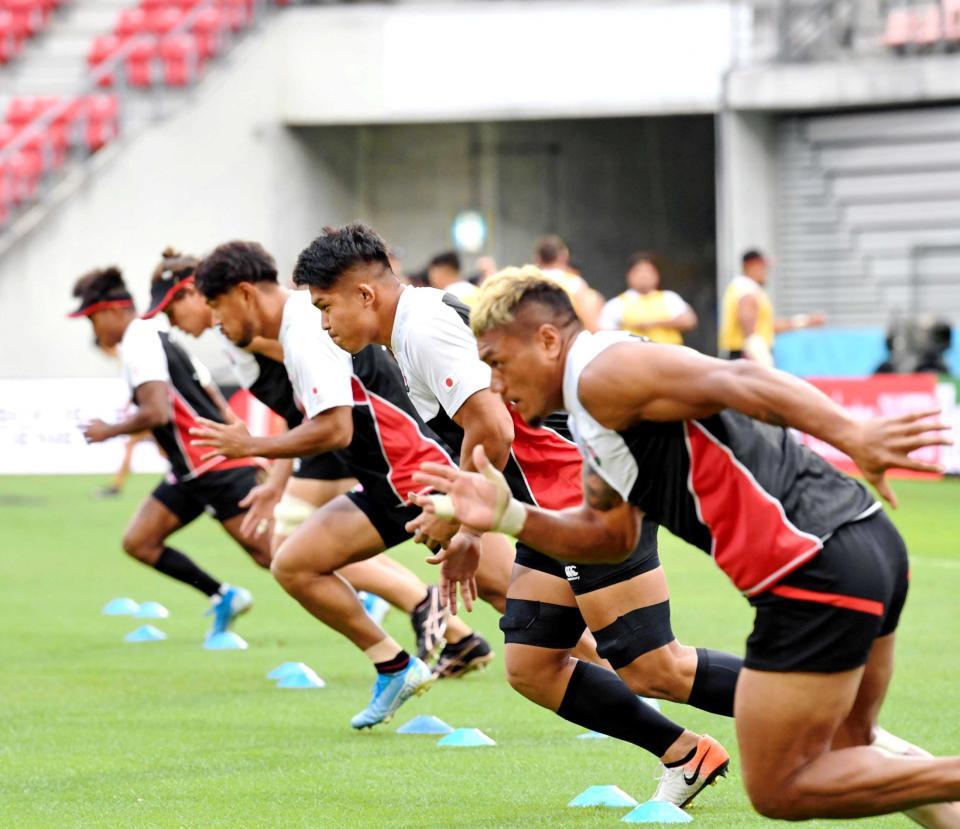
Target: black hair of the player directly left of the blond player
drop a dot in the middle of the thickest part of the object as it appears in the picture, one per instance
(335, 251)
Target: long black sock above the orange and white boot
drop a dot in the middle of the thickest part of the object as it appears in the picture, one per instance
(599, 700)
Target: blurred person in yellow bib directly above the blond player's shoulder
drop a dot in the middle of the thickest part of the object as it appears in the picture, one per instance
(647, 310)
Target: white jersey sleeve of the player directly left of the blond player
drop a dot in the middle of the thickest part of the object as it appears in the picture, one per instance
(446, 358)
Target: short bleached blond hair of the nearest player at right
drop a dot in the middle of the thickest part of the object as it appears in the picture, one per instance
(501, 296)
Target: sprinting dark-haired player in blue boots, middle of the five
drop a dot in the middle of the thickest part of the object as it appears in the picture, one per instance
(357, 407)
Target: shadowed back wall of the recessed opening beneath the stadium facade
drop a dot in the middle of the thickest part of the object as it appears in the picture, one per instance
(608, 186)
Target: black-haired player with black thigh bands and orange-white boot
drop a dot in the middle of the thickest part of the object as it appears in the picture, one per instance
(549, 604)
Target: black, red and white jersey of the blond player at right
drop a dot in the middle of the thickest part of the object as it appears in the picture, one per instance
(745, 492)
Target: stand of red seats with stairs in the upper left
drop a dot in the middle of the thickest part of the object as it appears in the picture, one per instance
(73, 93)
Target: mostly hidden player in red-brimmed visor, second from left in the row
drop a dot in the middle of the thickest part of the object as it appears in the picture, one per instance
(316, 479)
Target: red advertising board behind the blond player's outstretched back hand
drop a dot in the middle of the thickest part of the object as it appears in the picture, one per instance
(880, 395)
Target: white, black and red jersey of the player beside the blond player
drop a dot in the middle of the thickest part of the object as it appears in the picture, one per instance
(441, 365)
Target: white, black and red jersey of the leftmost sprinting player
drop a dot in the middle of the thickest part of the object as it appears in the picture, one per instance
(149, 355)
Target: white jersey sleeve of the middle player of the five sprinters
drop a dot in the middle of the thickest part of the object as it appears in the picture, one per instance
(321, 371)
